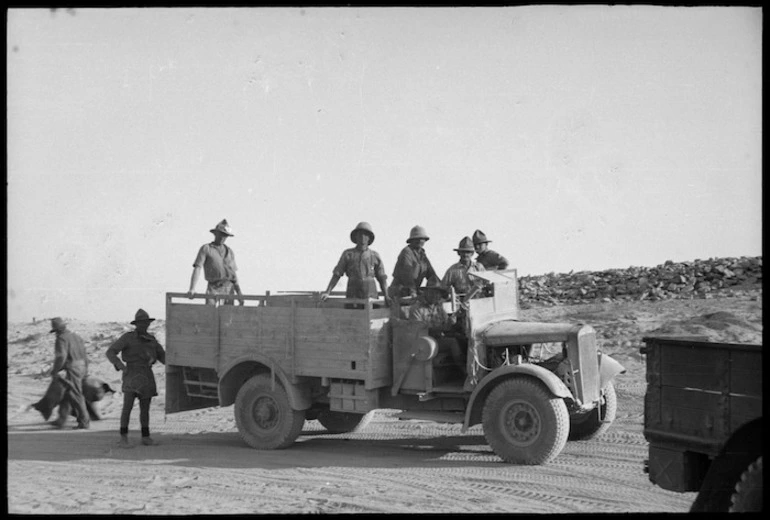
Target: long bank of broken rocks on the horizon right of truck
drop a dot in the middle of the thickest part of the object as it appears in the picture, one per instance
(696, 279)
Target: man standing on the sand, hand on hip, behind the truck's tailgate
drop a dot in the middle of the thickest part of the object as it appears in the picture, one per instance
(139, 350)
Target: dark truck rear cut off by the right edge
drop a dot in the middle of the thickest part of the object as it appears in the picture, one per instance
(703, 420)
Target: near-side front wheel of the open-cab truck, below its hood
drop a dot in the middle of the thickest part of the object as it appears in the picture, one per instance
(524, 423)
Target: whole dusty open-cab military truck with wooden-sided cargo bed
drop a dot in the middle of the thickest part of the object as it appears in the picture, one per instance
(284, 358)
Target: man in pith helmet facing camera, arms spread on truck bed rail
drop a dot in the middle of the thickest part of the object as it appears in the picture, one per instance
(362, 265)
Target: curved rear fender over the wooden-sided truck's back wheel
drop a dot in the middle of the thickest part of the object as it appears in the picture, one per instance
(242, 368)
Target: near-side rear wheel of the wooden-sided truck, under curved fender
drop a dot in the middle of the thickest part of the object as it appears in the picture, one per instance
(264, 418)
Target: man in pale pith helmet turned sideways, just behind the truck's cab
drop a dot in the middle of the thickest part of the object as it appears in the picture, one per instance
(412, 267)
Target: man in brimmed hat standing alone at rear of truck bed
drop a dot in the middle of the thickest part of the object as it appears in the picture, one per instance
(218, 263)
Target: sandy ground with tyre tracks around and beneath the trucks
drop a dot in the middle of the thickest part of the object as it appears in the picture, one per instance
(200, 465)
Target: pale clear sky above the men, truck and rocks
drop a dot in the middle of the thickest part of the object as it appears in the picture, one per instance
(577, 138)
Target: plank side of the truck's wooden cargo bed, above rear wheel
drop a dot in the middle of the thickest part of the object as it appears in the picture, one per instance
(300, 336)
